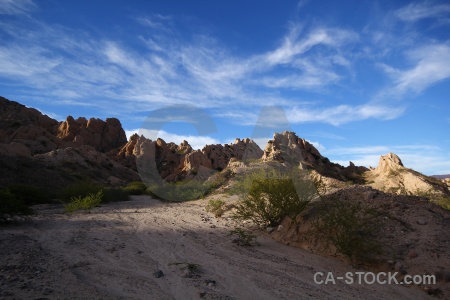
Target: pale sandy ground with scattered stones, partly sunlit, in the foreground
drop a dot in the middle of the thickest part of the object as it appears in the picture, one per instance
(114, 251)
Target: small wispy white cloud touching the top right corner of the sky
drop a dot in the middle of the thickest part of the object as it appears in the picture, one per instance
(417, 11)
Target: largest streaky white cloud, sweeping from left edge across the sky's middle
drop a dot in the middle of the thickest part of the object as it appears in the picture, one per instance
(203, 73)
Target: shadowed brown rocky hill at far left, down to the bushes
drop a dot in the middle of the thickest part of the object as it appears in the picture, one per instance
(39, 143)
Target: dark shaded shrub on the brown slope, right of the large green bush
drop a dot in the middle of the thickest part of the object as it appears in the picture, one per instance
(352, 228)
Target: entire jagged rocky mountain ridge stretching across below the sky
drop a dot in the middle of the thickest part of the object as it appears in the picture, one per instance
(33, 145)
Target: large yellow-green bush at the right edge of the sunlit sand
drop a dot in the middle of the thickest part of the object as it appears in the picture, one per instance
(270, 199)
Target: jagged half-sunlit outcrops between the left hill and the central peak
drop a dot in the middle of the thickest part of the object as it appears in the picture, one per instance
(177, 162)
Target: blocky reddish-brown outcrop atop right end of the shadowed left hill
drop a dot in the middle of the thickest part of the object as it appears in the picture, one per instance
(102, 135)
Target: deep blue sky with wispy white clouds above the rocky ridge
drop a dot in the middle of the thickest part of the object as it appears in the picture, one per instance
(356, 78)
